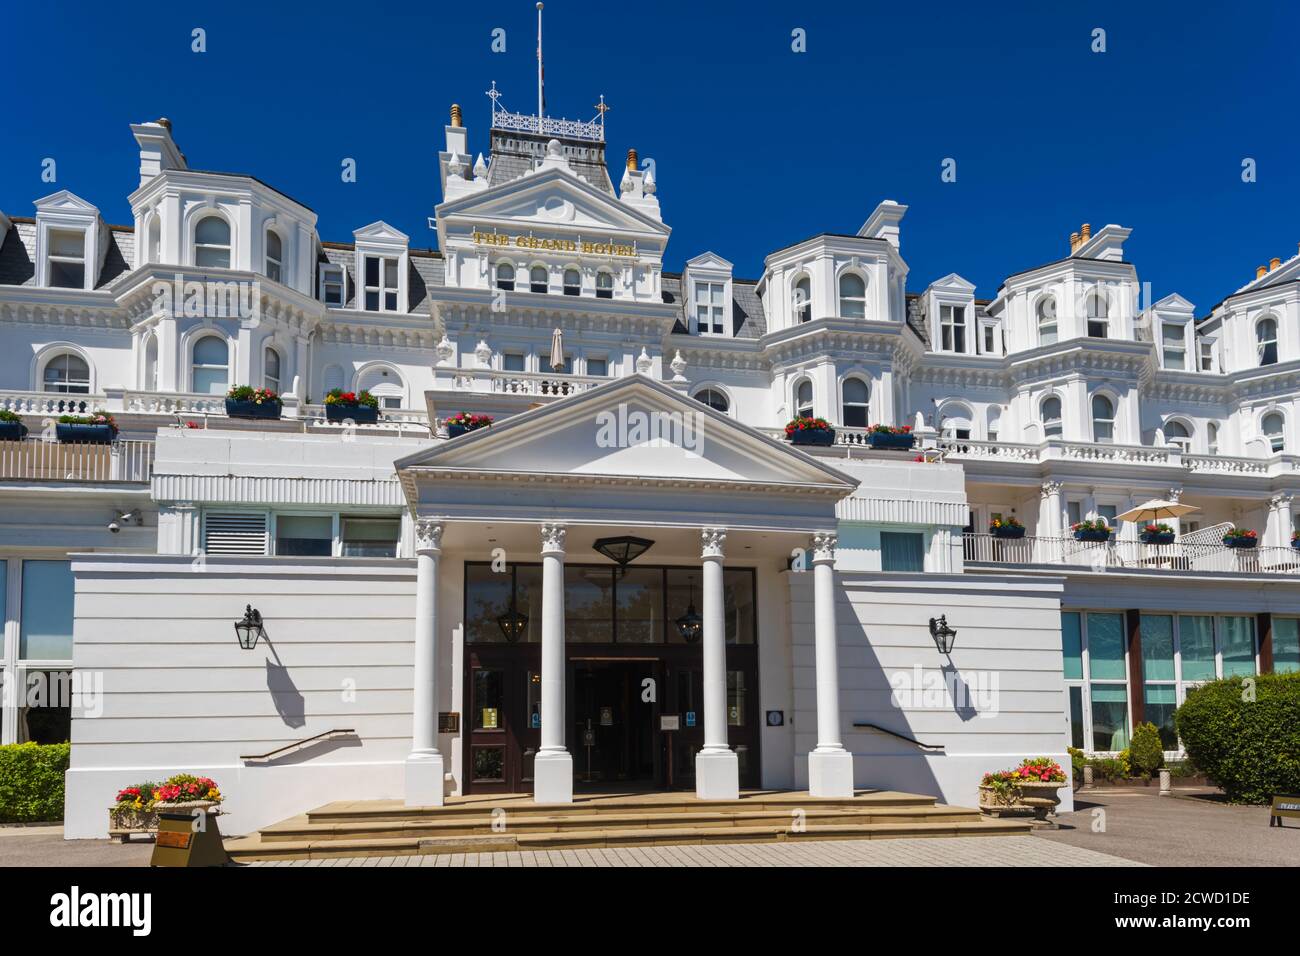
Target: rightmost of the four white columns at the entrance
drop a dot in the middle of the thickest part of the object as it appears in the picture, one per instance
(830, 765)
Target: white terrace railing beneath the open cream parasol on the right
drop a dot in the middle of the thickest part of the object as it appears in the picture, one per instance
(1125, 555)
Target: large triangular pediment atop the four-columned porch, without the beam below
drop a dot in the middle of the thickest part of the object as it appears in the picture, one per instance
(638, 430)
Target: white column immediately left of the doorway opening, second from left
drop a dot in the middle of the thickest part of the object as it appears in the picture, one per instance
(553, 768)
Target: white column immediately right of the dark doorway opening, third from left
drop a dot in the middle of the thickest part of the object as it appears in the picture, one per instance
(717, 765)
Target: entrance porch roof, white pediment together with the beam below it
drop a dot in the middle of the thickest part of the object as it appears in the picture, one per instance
(634, 452)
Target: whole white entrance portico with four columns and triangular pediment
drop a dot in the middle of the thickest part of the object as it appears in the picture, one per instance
(714, 496)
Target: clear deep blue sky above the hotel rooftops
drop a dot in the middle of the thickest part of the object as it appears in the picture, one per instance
(756, 146)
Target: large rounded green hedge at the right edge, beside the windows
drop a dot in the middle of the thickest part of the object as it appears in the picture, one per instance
(1251, 749)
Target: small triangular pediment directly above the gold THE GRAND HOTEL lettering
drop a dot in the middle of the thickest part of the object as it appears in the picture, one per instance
(553, 200)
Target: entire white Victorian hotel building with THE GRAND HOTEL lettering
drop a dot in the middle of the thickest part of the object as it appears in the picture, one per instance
(430, 602)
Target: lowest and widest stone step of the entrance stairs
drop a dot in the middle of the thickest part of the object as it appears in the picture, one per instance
(254, 849)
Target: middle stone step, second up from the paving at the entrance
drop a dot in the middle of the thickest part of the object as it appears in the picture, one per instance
(462, 825)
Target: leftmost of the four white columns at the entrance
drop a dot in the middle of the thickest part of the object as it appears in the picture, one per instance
(424, 772)
